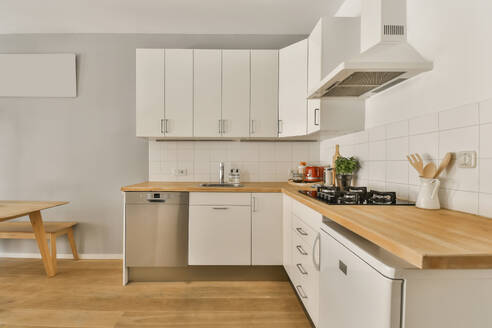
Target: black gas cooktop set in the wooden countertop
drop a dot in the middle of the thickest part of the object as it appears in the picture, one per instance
(354, 196)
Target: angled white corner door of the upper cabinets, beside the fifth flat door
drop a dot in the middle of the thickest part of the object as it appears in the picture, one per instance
(293, 62)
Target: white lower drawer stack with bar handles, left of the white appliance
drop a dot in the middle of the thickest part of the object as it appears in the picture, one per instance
(303, 264)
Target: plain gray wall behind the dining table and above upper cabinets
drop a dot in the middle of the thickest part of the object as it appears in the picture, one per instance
(84, 149)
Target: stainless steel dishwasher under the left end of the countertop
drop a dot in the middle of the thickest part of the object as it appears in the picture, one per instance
(156, 229)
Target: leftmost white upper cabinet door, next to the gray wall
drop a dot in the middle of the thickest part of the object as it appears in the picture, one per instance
(150, 92)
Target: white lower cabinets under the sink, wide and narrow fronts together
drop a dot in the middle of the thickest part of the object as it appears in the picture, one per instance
(235, 228)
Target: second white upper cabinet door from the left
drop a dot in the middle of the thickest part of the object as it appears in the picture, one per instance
(178, 93)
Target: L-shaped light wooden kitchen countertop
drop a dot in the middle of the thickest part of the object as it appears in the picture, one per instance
(441, 239)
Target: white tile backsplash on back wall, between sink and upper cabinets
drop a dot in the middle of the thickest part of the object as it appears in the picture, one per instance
(257, 161)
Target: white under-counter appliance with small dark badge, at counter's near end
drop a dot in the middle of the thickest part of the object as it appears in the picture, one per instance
(362, 285)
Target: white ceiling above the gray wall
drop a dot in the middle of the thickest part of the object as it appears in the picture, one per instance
(163, 16)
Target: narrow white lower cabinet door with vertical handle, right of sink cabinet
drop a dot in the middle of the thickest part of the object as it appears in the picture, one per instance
(266, 223)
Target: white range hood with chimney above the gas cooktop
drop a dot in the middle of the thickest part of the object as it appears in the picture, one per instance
(386, 58)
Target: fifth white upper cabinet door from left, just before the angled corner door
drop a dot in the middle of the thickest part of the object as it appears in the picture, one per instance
(264, 93)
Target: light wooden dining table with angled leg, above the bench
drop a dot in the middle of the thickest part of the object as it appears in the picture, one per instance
(12, 209)
